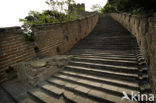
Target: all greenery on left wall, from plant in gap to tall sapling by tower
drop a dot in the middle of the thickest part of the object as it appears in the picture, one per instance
(57, 13)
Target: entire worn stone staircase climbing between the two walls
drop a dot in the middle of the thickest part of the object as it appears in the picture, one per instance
(104, 64)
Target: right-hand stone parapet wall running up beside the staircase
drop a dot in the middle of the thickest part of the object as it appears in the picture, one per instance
(144, 29)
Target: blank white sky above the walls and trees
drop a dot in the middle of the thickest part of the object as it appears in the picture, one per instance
(12, 10)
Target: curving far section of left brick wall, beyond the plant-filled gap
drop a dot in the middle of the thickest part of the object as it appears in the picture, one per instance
(52, 39)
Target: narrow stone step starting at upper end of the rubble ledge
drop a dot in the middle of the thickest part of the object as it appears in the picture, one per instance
(107, 61)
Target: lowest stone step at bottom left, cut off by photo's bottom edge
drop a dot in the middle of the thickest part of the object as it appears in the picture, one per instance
(44, 97)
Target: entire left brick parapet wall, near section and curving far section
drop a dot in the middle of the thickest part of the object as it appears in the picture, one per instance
(50, 39)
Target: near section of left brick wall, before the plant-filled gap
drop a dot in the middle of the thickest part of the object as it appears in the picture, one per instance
(13, 49)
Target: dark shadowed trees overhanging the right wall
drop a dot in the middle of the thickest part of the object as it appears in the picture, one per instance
(142, 7)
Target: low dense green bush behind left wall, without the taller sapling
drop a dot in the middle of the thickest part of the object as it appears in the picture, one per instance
(46, 16)
